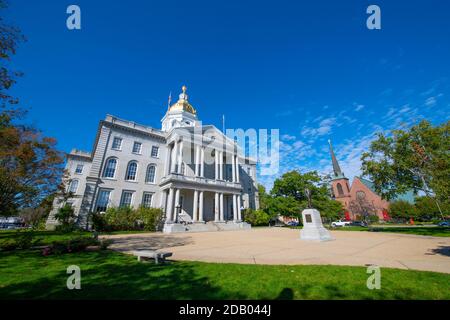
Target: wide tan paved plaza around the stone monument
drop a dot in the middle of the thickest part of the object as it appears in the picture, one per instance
(282, 246)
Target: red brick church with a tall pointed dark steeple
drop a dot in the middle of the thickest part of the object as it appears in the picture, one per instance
(360, 199)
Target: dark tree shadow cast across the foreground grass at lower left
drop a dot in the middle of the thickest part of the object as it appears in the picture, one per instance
(105, 279)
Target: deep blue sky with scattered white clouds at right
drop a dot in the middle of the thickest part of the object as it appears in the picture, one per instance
(312, 70)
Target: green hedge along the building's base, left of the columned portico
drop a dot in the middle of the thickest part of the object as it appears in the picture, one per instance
(127, 219)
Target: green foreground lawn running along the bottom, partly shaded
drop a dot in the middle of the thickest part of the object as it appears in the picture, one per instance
(112, 275)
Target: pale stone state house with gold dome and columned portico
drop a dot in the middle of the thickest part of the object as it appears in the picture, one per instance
(198, 176)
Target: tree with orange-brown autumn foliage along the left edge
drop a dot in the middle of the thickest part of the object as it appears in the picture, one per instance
(30, 165)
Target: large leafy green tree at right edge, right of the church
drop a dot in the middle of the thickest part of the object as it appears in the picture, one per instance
(411, 159)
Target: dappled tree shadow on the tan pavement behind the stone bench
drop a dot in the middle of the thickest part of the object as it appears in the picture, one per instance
(153, 242)
